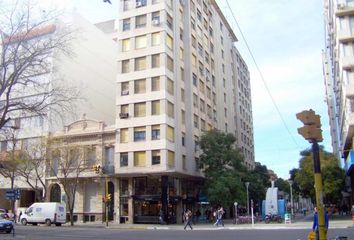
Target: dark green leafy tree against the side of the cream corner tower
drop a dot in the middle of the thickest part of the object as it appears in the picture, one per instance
(223, 168)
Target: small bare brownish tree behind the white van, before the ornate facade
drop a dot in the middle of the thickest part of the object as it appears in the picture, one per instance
(67, 163)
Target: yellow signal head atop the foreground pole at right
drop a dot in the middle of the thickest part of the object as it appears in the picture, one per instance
(312, 125)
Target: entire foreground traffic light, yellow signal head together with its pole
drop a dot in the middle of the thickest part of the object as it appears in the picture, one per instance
(312, 132)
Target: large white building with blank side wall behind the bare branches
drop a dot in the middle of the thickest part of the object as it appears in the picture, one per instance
(91, 68)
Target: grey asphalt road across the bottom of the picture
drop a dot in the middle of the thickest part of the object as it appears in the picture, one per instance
(76, 233)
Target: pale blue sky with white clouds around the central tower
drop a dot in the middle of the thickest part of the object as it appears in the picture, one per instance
(286, 38)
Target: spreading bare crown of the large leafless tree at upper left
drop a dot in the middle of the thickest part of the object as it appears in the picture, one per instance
(30, 40)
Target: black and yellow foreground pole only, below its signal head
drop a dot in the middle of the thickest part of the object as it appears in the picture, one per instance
(319, 191)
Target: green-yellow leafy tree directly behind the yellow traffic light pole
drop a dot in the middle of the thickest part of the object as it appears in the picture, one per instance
(332, 175)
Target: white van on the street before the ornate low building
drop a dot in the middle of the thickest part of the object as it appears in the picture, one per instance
(44, 212)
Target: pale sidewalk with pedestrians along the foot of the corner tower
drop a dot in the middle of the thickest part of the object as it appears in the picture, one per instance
(298, 223)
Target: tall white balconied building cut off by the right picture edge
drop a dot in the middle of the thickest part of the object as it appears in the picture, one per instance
(338, 69)
